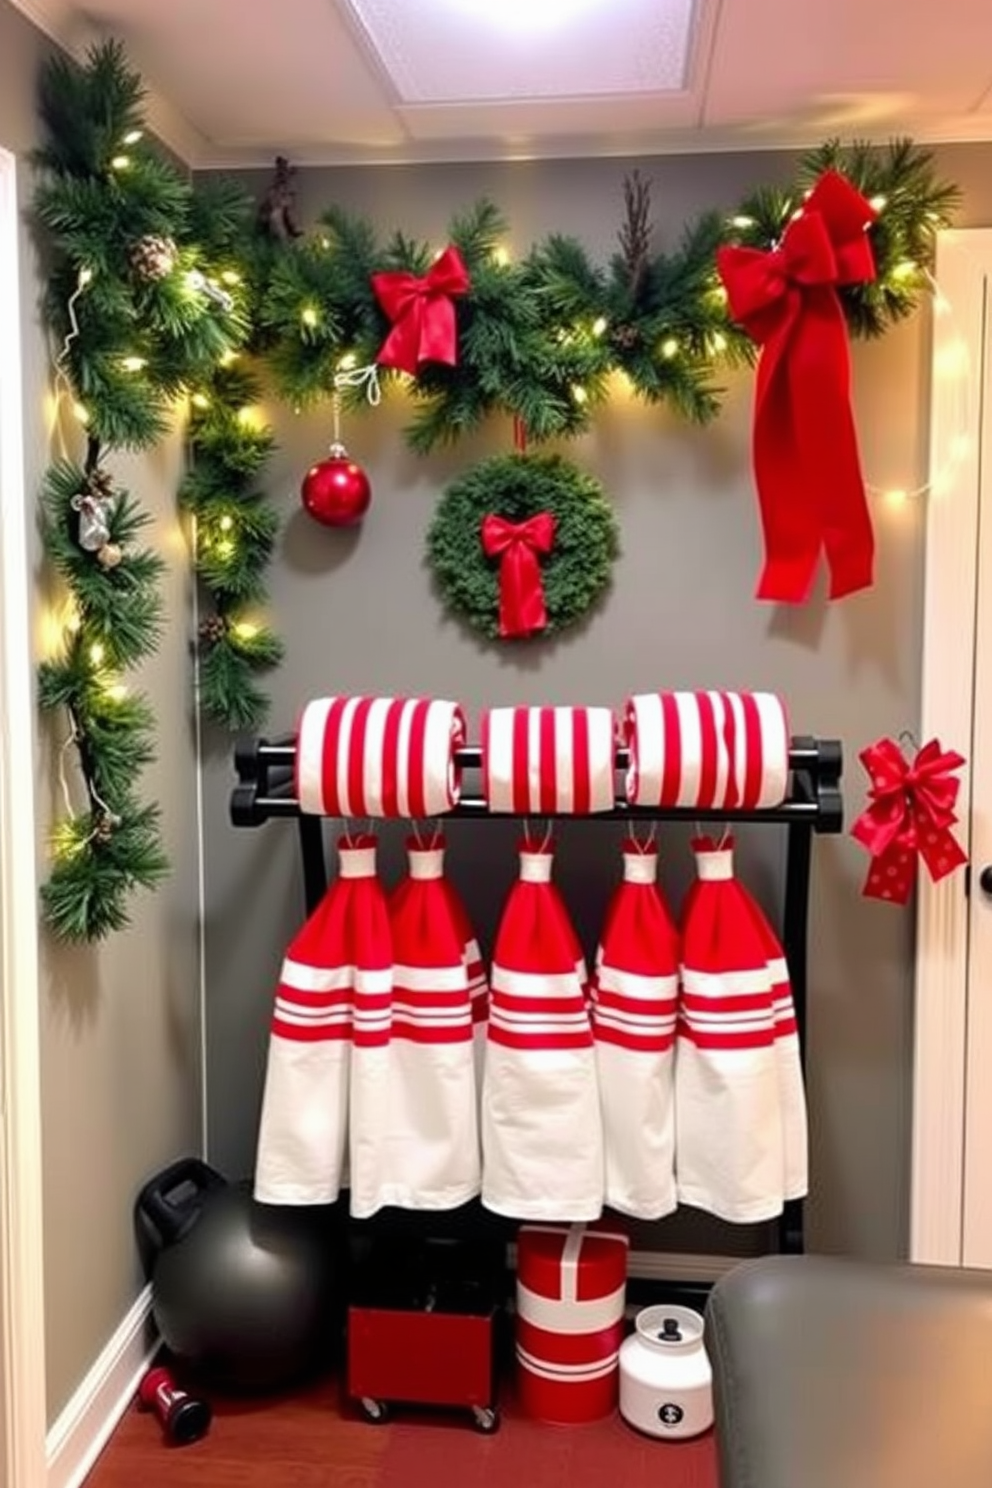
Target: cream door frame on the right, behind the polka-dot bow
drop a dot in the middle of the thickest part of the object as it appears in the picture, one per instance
(963, 307)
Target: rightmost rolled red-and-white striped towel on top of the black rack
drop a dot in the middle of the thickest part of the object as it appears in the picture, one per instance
(719, 751)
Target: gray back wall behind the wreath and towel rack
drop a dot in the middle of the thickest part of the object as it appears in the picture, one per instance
(358, 614)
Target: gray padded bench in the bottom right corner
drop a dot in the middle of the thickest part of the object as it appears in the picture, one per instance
(835, 1374)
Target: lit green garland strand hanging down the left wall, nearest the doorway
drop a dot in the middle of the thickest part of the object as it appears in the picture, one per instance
(139, 313)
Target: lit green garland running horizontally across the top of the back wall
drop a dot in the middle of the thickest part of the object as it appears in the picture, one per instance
(541, 339)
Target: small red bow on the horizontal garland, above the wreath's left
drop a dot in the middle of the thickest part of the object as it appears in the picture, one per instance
(423, 313)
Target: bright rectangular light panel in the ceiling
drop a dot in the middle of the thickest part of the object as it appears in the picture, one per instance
(495, 51)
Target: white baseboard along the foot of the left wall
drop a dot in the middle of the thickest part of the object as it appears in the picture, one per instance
(84, 1428)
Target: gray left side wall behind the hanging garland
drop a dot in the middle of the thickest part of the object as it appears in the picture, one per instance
(120, 1026)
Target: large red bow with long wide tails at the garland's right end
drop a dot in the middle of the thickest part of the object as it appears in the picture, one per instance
(805, 447)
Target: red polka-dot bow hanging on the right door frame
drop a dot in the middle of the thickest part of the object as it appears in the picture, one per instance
(911, 813)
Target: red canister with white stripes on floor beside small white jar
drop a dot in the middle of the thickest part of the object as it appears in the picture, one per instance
(570, 1294)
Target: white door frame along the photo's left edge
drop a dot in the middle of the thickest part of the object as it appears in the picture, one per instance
(22, 1233)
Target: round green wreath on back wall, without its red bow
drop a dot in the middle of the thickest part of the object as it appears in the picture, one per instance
(518, 487)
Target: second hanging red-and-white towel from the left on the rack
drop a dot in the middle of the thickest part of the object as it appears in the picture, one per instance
(416, 1135)
